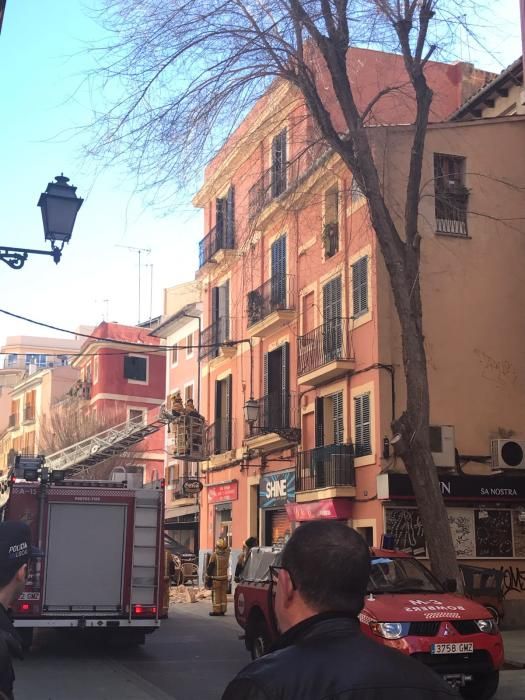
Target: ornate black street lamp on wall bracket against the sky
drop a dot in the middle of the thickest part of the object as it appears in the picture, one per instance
(59, 205)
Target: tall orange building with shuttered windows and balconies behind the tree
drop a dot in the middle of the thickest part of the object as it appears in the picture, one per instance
(301, 365)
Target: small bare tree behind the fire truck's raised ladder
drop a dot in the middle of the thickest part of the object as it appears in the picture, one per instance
(70, 421)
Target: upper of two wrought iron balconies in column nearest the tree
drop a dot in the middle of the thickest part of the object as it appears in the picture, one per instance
(325, 352)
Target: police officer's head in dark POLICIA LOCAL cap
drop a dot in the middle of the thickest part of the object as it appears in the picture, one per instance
(15, 555)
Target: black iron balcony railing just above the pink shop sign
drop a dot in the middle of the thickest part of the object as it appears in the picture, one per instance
(326, 466)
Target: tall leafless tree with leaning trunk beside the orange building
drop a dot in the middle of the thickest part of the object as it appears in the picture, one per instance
(181, 76)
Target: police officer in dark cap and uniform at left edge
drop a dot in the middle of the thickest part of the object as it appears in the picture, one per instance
(15, 555)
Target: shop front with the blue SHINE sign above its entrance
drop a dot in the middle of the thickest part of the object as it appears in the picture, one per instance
(276, 490)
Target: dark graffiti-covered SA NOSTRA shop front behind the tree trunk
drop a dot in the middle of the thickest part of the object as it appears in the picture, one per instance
(487, 521)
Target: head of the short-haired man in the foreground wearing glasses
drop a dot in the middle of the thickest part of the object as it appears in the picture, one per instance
(324, 568)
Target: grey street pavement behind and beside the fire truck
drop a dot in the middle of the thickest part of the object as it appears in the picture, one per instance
(192, 657)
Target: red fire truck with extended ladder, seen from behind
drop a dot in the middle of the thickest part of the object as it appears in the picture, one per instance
(103, 562)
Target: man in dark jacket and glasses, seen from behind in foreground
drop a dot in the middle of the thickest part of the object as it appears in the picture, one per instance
(319, 588)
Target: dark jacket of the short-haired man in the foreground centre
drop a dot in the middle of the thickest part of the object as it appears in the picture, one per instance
(327, 657)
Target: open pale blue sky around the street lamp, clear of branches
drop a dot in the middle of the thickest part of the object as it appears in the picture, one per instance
(42, 59)
